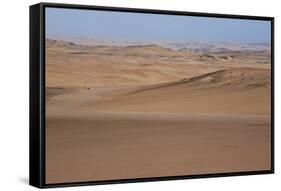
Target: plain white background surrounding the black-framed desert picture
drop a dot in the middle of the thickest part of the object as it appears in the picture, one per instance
(14, 51)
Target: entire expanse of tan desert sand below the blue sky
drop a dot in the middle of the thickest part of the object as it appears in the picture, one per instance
(135, 111)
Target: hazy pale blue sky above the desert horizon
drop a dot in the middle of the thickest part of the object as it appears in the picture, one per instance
(105, 25)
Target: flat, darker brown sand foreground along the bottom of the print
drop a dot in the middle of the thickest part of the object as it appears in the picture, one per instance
(118, 148)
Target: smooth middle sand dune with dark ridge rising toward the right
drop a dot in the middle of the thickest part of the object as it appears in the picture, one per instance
(232, 91)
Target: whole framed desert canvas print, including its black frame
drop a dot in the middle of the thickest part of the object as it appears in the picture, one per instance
(126, 95)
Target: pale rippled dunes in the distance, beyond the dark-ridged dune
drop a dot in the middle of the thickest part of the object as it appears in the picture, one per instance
(79, 65)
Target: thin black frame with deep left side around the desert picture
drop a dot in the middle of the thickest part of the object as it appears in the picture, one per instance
(37, 95)
